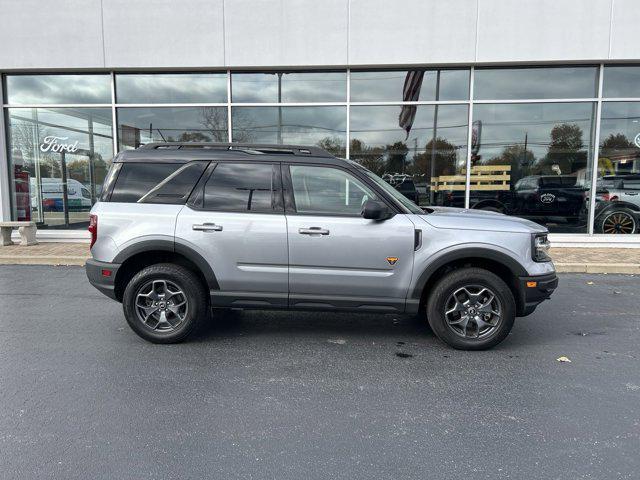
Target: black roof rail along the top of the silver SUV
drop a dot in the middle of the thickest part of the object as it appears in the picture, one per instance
(248, 147)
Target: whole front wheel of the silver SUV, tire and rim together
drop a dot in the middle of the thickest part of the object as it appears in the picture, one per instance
(446, 311)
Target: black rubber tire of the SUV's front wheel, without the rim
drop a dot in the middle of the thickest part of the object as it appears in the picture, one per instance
(457, 279)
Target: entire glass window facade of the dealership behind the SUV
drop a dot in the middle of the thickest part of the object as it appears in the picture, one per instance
(525, 143)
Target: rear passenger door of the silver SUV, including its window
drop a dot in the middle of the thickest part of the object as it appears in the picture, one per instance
(236, 221)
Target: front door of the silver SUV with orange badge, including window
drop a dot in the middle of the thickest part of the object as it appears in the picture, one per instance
(337, 259)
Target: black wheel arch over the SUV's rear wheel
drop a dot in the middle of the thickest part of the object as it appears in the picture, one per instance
(142, 254)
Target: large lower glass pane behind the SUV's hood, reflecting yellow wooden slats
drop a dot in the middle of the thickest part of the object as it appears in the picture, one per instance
(533, 160)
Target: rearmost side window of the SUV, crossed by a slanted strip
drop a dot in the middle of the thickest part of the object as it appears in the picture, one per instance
(156, 182)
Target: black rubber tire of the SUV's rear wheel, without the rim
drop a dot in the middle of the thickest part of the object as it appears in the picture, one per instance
(186, 281)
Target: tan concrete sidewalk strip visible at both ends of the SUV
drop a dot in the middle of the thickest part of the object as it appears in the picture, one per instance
(580, 260)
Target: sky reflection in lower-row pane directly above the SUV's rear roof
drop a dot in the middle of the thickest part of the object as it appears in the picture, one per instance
(170, 124)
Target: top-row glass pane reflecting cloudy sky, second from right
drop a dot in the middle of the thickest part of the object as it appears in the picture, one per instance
(534, 83)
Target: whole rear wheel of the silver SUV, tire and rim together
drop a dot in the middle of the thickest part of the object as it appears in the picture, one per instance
(169, 320)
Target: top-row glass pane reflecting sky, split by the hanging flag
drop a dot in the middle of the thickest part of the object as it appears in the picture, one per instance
(387, 85)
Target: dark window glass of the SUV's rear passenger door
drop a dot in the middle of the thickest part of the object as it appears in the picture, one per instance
(241, 187)
